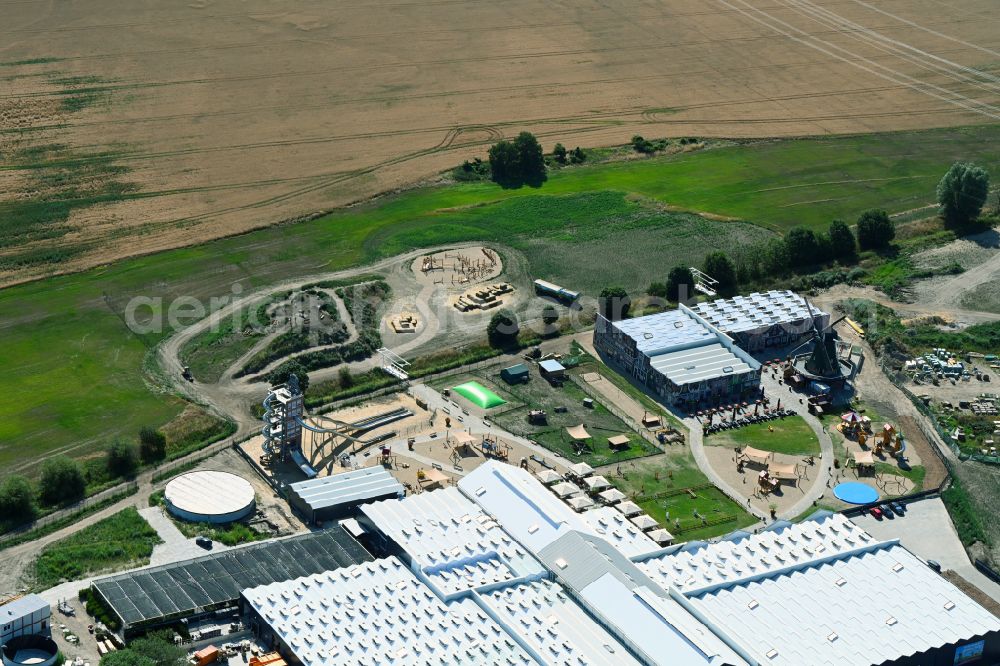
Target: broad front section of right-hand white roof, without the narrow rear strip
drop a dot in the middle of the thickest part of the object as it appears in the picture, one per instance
(869, 608)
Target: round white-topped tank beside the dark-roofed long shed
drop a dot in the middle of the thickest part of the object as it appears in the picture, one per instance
(210, 497)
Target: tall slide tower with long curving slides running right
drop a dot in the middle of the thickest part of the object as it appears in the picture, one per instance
(284, 423)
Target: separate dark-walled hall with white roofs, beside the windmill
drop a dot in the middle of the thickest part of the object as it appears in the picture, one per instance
(690, 355)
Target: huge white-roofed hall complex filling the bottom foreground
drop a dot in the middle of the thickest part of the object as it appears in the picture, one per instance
(499, 571)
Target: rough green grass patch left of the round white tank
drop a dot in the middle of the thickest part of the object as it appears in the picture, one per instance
(117, 542)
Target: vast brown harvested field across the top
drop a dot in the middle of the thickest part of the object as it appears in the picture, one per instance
(129, 127)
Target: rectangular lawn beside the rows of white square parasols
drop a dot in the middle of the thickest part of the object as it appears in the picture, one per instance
(671, 473)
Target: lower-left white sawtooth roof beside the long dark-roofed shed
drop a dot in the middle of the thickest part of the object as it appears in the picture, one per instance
(379, 613)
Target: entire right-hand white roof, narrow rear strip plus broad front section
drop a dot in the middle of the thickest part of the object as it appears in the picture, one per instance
(821, 592)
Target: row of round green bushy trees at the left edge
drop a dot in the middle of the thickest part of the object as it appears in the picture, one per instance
(63, 480)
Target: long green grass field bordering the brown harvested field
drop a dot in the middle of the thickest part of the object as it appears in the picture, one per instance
(82, 378)
